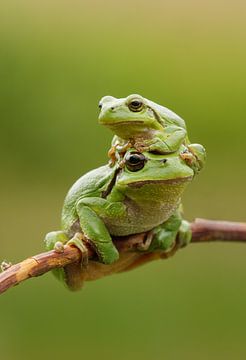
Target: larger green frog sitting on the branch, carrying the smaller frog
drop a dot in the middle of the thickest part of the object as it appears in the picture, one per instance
(126, 199)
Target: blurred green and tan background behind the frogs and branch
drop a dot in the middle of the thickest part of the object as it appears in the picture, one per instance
(57, 59)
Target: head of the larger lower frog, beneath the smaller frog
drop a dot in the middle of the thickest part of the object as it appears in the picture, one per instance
(146, 168)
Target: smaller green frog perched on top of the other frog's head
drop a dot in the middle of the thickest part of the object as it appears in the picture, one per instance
(149, 127)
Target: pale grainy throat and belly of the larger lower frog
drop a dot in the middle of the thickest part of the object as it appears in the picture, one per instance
(147, 207)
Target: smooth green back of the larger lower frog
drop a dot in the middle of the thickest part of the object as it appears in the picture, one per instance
(91, 184)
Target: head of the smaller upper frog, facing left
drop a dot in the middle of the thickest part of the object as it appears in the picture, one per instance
(129, 116)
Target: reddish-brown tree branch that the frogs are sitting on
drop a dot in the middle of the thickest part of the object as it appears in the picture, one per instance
(202, 231)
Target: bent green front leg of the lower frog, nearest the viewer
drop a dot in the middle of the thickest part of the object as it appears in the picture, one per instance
(91, 211)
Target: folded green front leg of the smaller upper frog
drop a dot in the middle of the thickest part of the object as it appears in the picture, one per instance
(168, 143)
